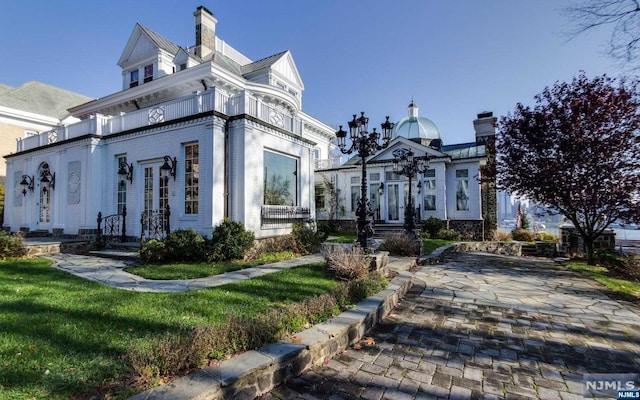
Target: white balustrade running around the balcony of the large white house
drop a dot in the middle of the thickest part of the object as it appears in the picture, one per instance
(182, 107)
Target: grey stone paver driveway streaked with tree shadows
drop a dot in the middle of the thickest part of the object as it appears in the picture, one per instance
(484, 326)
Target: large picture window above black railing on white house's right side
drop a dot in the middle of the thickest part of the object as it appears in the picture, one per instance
(280, 179)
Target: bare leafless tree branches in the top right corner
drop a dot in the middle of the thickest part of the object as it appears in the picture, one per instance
(622, 16)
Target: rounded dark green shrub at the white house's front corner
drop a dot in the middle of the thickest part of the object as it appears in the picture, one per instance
(229, 241)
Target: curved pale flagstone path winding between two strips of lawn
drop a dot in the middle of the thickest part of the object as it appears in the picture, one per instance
(111, 272)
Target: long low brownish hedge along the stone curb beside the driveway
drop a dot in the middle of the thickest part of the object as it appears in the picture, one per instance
(173, 353)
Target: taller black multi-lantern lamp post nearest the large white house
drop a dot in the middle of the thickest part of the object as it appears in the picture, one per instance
(365, 143)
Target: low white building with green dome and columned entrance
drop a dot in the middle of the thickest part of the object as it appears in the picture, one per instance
(457, 186)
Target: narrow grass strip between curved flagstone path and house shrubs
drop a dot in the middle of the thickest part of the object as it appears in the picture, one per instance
(202, 270)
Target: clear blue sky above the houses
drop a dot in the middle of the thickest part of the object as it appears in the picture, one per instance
(454, 58)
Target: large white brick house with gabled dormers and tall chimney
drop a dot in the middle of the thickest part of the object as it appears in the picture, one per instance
(196, 135)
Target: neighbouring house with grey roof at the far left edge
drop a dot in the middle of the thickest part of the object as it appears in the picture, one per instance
(32, 108)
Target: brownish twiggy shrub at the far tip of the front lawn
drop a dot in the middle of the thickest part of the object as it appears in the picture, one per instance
(347, 264)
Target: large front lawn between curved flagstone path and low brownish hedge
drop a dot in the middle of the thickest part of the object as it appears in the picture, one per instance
(65, 337)
